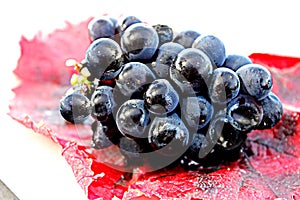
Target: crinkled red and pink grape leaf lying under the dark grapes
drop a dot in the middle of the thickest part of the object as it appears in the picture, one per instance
(271, 171)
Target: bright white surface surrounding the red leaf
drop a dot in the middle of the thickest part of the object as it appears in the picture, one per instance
(31, 165)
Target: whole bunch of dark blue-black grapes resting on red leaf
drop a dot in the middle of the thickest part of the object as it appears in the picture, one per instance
(163, 96)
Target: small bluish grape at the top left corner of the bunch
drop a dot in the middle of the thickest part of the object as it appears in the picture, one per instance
(101, 27)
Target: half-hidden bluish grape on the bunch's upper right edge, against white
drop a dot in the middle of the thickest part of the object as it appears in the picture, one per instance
(235, 61)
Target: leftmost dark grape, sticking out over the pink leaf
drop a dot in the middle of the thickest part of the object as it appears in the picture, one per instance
(75, 108)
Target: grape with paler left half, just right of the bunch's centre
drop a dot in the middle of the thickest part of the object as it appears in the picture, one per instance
(197, 112)
